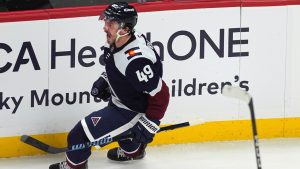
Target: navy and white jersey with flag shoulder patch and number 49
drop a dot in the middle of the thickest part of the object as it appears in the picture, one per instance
(134, 74)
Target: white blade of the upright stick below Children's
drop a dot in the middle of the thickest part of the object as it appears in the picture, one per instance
(236, 92)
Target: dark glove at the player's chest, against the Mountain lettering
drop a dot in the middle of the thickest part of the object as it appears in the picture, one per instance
(101, 89)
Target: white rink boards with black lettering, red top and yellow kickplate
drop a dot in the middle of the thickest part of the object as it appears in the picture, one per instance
(49, 60)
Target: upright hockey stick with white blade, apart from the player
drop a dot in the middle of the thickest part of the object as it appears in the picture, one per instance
(238, 93)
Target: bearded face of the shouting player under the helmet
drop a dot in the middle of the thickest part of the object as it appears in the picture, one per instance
(111, 28)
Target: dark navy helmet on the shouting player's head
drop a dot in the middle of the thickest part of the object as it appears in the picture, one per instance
(121, 12)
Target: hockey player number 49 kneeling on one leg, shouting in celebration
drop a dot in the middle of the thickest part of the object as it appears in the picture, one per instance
(132, 82)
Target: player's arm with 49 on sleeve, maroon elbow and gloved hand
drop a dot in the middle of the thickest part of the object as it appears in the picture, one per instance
(145, 78)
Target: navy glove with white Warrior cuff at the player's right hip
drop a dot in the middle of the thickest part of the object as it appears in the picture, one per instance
(144, 130)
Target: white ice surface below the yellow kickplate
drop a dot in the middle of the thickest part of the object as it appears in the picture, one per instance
(275, 154)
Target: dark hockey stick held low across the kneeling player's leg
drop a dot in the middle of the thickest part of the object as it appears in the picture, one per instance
(101, 142)
